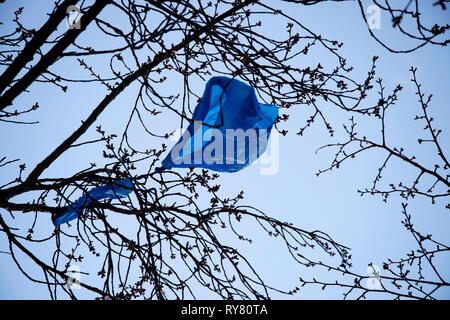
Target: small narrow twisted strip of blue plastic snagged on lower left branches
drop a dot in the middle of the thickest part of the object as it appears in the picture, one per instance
(118, 189)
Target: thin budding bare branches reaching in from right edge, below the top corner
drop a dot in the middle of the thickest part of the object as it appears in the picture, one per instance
(405, 276)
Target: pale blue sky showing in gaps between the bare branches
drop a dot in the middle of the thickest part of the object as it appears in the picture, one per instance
(371, 228)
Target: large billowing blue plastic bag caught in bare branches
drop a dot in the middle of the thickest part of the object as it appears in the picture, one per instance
(230, 129)
